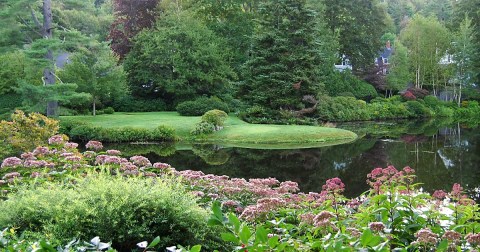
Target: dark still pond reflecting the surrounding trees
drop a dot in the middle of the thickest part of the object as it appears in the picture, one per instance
(441, 152)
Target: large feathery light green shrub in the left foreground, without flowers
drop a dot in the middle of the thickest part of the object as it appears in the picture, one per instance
(124, 211)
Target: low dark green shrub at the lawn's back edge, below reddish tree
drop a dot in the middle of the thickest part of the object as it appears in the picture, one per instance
(131, 104)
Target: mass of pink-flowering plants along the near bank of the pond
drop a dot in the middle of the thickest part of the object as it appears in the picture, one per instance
(266, 214)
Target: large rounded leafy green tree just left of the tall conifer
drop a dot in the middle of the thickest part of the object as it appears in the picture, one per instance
(180, 62)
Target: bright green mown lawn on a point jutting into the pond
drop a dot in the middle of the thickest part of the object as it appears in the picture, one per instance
(235, 133)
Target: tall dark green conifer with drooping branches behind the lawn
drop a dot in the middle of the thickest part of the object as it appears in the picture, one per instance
(290, 52)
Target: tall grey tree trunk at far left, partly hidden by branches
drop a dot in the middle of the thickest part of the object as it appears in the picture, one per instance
(48, 72)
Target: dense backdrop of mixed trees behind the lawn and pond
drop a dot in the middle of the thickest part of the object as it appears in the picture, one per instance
(277, 56)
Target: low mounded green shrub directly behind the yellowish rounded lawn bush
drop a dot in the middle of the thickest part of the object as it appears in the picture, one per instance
(200, 106)
